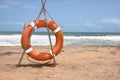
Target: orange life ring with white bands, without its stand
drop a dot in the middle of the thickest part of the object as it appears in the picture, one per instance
(26, 44)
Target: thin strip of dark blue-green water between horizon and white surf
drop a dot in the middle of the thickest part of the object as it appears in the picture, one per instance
(70, 33)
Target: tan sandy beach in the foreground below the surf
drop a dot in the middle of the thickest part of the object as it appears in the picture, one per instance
(73, 63)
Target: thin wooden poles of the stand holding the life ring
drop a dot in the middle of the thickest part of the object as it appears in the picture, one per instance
(45, 12)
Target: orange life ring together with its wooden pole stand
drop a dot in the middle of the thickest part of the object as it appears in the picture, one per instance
(38, 23)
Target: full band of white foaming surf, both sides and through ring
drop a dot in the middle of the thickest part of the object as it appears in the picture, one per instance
(38, 40)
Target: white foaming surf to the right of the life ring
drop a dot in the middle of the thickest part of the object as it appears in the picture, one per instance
(93, 40)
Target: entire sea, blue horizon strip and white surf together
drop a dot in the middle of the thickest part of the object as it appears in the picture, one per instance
(70, 38)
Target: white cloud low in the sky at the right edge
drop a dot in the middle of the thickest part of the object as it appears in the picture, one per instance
(112, 21)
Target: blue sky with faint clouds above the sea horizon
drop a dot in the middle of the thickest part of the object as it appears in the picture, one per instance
(71, 15)
